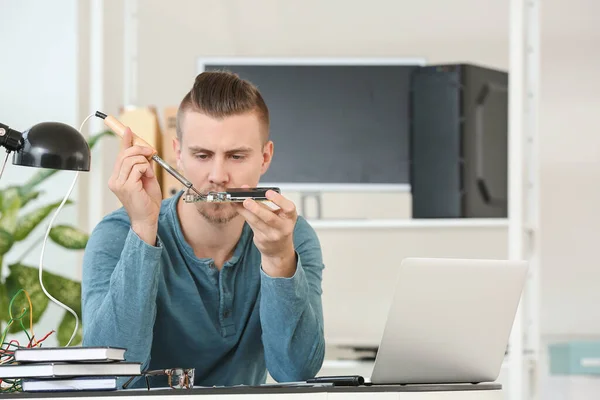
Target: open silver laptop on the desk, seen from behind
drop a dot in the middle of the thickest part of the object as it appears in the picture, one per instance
(449, 321)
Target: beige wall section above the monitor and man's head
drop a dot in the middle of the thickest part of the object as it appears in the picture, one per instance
(172, 38)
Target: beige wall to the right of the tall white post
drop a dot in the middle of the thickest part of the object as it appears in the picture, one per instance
(570, 160)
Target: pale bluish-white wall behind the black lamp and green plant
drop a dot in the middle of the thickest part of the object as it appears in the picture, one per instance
(38, 82)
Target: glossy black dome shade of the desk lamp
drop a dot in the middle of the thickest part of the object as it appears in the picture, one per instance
(53, 145)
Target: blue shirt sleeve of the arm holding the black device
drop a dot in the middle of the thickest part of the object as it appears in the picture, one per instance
(291, 313)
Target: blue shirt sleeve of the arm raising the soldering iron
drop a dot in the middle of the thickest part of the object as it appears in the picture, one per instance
(119, 289)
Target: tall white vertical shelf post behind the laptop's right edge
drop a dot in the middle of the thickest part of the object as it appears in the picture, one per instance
(523, 230)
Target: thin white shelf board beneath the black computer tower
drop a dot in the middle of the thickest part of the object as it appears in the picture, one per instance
(409, 223)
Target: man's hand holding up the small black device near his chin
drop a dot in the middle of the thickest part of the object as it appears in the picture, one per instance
(273, 233)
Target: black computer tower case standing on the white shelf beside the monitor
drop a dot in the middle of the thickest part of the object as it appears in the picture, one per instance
(459, 142)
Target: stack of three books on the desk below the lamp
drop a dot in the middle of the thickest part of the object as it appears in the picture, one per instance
(69, 368)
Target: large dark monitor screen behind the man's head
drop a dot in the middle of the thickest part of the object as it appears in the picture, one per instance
(333, 124)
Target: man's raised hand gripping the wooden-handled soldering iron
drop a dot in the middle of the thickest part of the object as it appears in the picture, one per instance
(134, 183)
